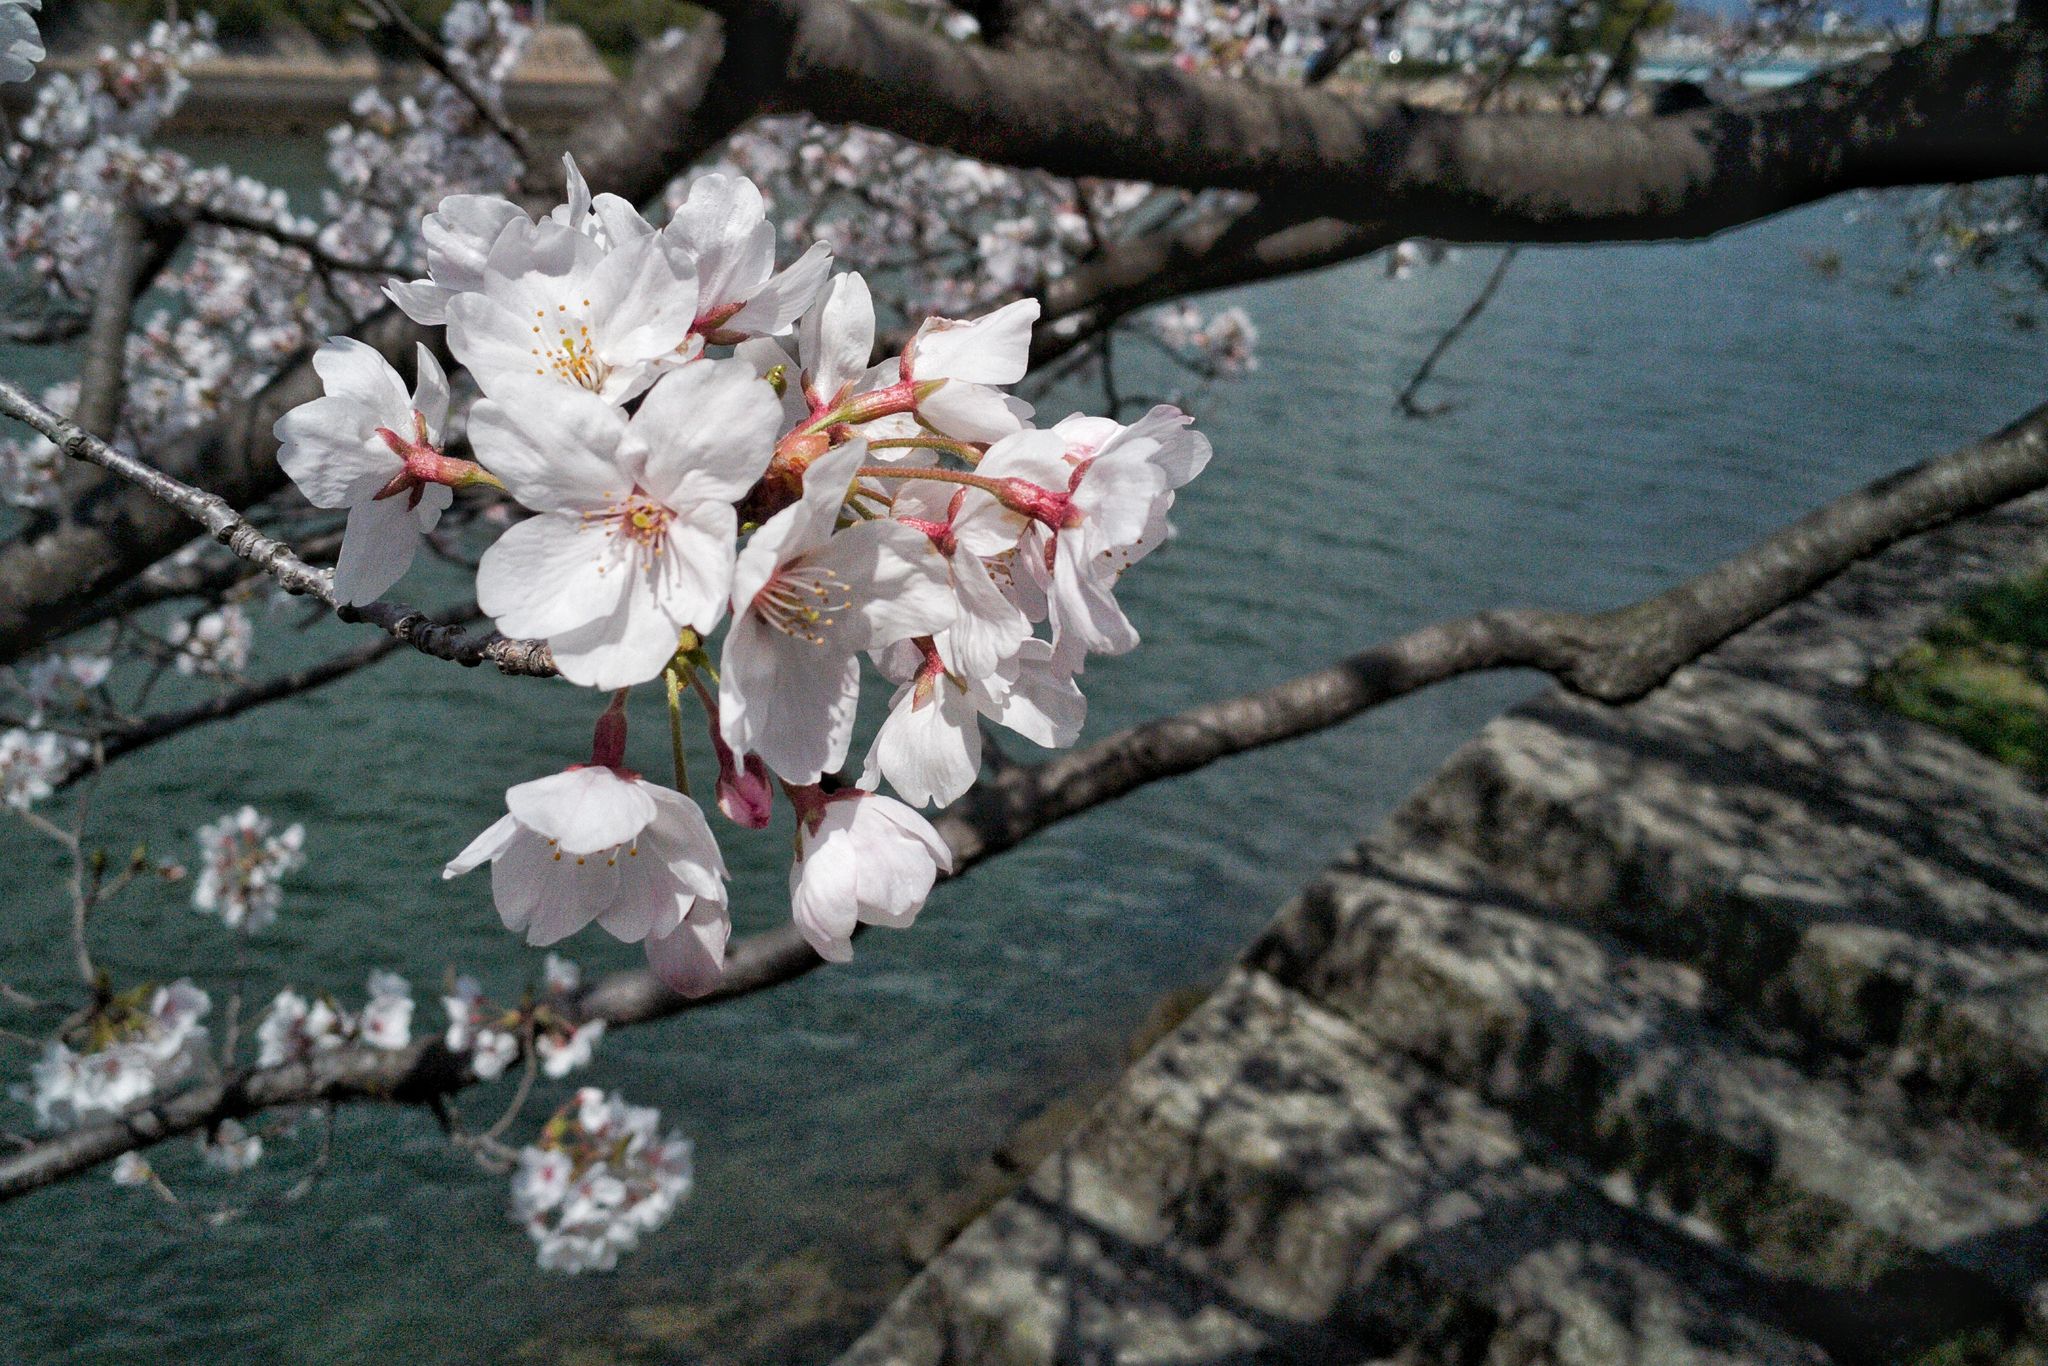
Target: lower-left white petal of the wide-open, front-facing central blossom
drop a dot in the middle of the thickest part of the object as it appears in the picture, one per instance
(550, 574)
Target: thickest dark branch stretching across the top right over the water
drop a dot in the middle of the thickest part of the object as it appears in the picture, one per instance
(1955, 110)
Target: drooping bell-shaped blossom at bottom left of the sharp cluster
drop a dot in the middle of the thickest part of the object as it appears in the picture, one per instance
(603, 845)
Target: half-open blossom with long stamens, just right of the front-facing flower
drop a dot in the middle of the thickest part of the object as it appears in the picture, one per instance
(808, 599)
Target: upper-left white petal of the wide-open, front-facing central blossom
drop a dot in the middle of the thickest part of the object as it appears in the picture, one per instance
(558, 450)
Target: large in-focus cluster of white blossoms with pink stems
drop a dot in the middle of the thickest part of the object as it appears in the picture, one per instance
(642, 402)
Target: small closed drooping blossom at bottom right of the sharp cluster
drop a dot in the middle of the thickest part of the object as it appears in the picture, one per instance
(861, 859)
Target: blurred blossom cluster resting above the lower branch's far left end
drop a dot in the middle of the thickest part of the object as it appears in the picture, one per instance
(130, 1050)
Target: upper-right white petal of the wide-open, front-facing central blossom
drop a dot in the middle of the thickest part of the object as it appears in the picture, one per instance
(710, 433)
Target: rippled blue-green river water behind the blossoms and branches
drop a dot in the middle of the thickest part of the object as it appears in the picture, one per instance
(1625, 417)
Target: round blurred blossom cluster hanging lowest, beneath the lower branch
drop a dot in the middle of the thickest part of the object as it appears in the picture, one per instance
(599, 1179)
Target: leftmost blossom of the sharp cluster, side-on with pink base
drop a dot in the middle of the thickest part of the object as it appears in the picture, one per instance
(374, 450)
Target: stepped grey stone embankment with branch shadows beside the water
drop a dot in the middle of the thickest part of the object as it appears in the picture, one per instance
(1707, 1029)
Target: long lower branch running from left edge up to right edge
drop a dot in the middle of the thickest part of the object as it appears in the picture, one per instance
(1611, 656)
